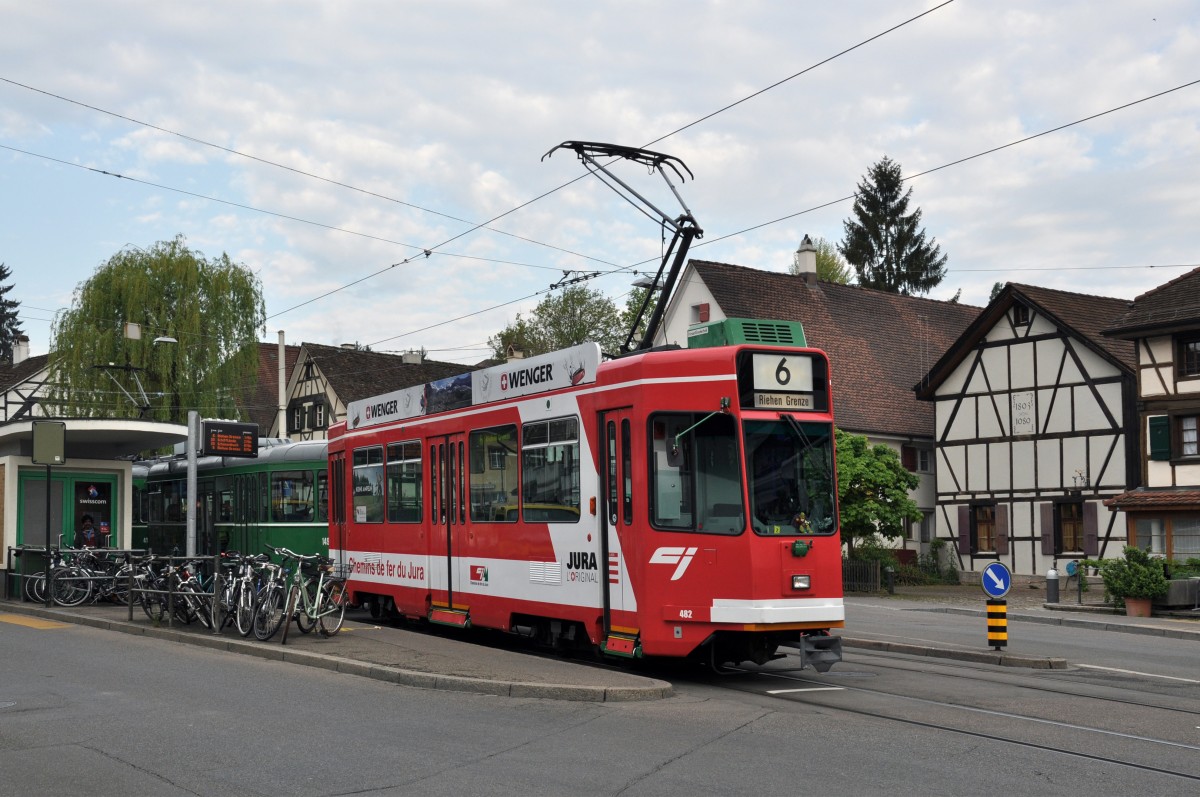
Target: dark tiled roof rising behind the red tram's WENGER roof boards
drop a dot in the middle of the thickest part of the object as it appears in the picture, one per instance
(357, 375)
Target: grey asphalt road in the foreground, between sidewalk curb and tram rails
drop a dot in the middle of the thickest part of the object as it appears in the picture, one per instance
(89, 711)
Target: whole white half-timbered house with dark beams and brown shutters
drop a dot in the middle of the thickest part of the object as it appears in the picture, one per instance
(1033, 408)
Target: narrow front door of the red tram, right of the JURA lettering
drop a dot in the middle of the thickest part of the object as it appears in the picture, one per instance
(619, 548)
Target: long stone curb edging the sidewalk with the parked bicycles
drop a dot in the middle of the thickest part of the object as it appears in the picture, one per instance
(655, 691)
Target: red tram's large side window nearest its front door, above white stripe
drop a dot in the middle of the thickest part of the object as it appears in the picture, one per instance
(550, 471)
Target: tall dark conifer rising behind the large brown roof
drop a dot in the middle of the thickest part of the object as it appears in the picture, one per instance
(885, 243)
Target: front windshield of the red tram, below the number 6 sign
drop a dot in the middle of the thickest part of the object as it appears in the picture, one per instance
(793, 489)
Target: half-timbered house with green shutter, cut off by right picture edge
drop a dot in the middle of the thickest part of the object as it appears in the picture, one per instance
(1165, 325)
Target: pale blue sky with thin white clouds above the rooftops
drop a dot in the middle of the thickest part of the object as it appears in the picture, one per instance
(328, 146)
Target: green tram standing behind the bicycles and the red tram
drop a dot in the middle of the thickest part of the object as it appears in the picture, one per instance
(279, 499)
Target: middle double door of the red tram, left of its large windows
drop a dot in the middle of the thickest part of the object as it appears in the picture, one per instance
(448, 517)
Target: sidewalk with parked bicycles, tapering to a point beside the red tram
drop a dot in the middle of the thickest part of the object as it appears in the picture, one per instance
(386, 654)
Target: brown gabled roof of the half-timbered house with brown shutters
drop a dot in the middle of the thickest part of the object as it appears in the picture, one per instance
(1078, 314)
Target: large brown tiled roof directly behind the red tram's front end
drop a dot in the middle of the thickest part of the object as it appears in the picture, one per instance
(880, 345)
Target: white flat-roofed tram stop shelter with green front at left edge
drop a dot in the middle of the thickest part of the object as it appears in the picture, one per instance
(94, 481)
